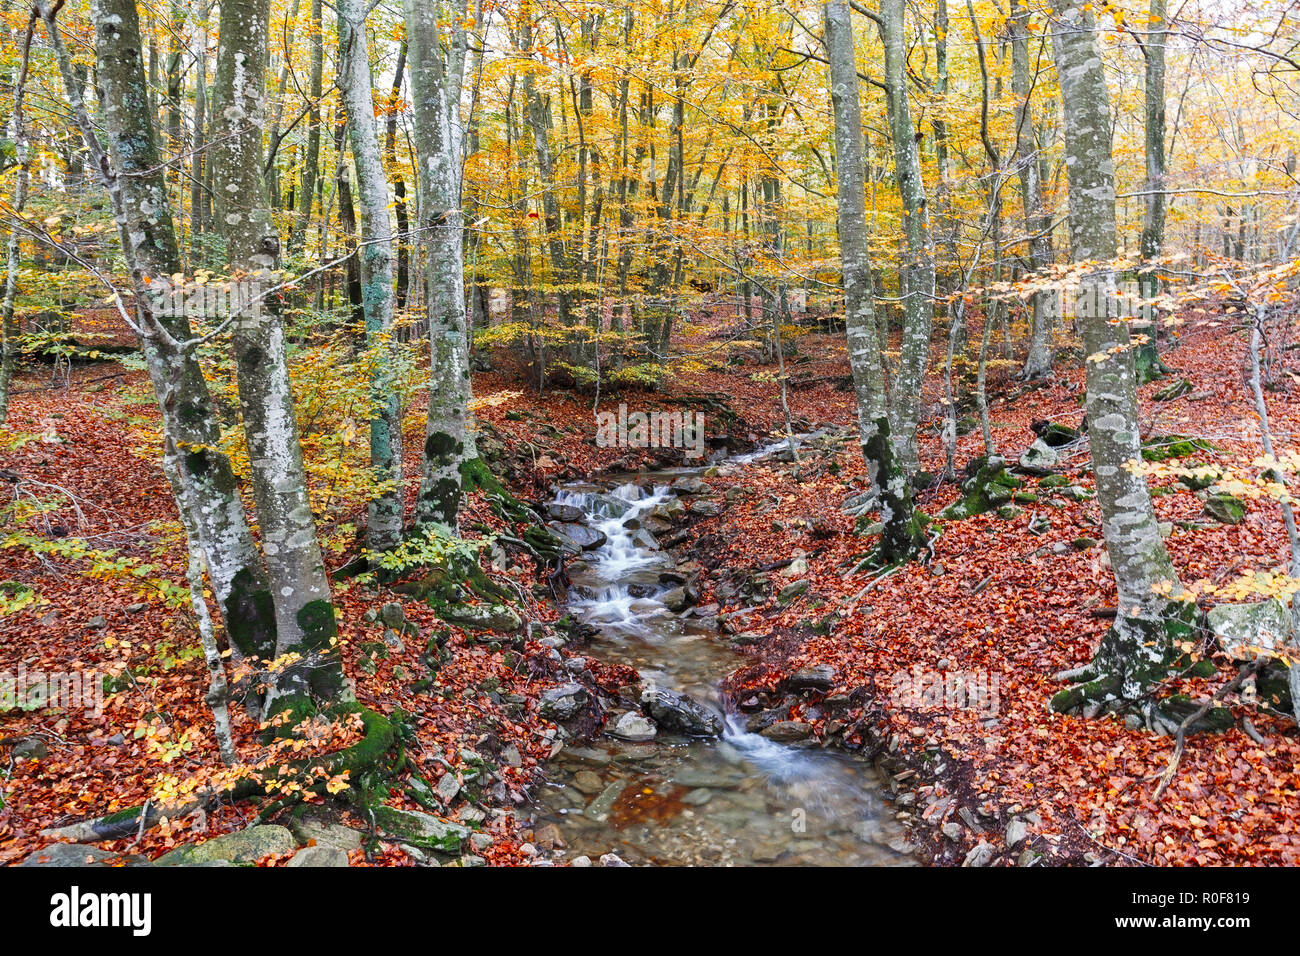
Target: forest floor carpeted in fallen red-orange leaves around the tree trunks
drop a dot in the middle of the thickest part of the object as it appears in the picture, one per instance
(996, 600)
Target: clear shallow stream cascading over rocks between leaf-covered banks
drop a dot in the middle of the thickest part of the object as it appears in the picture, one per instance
(738, 801)
